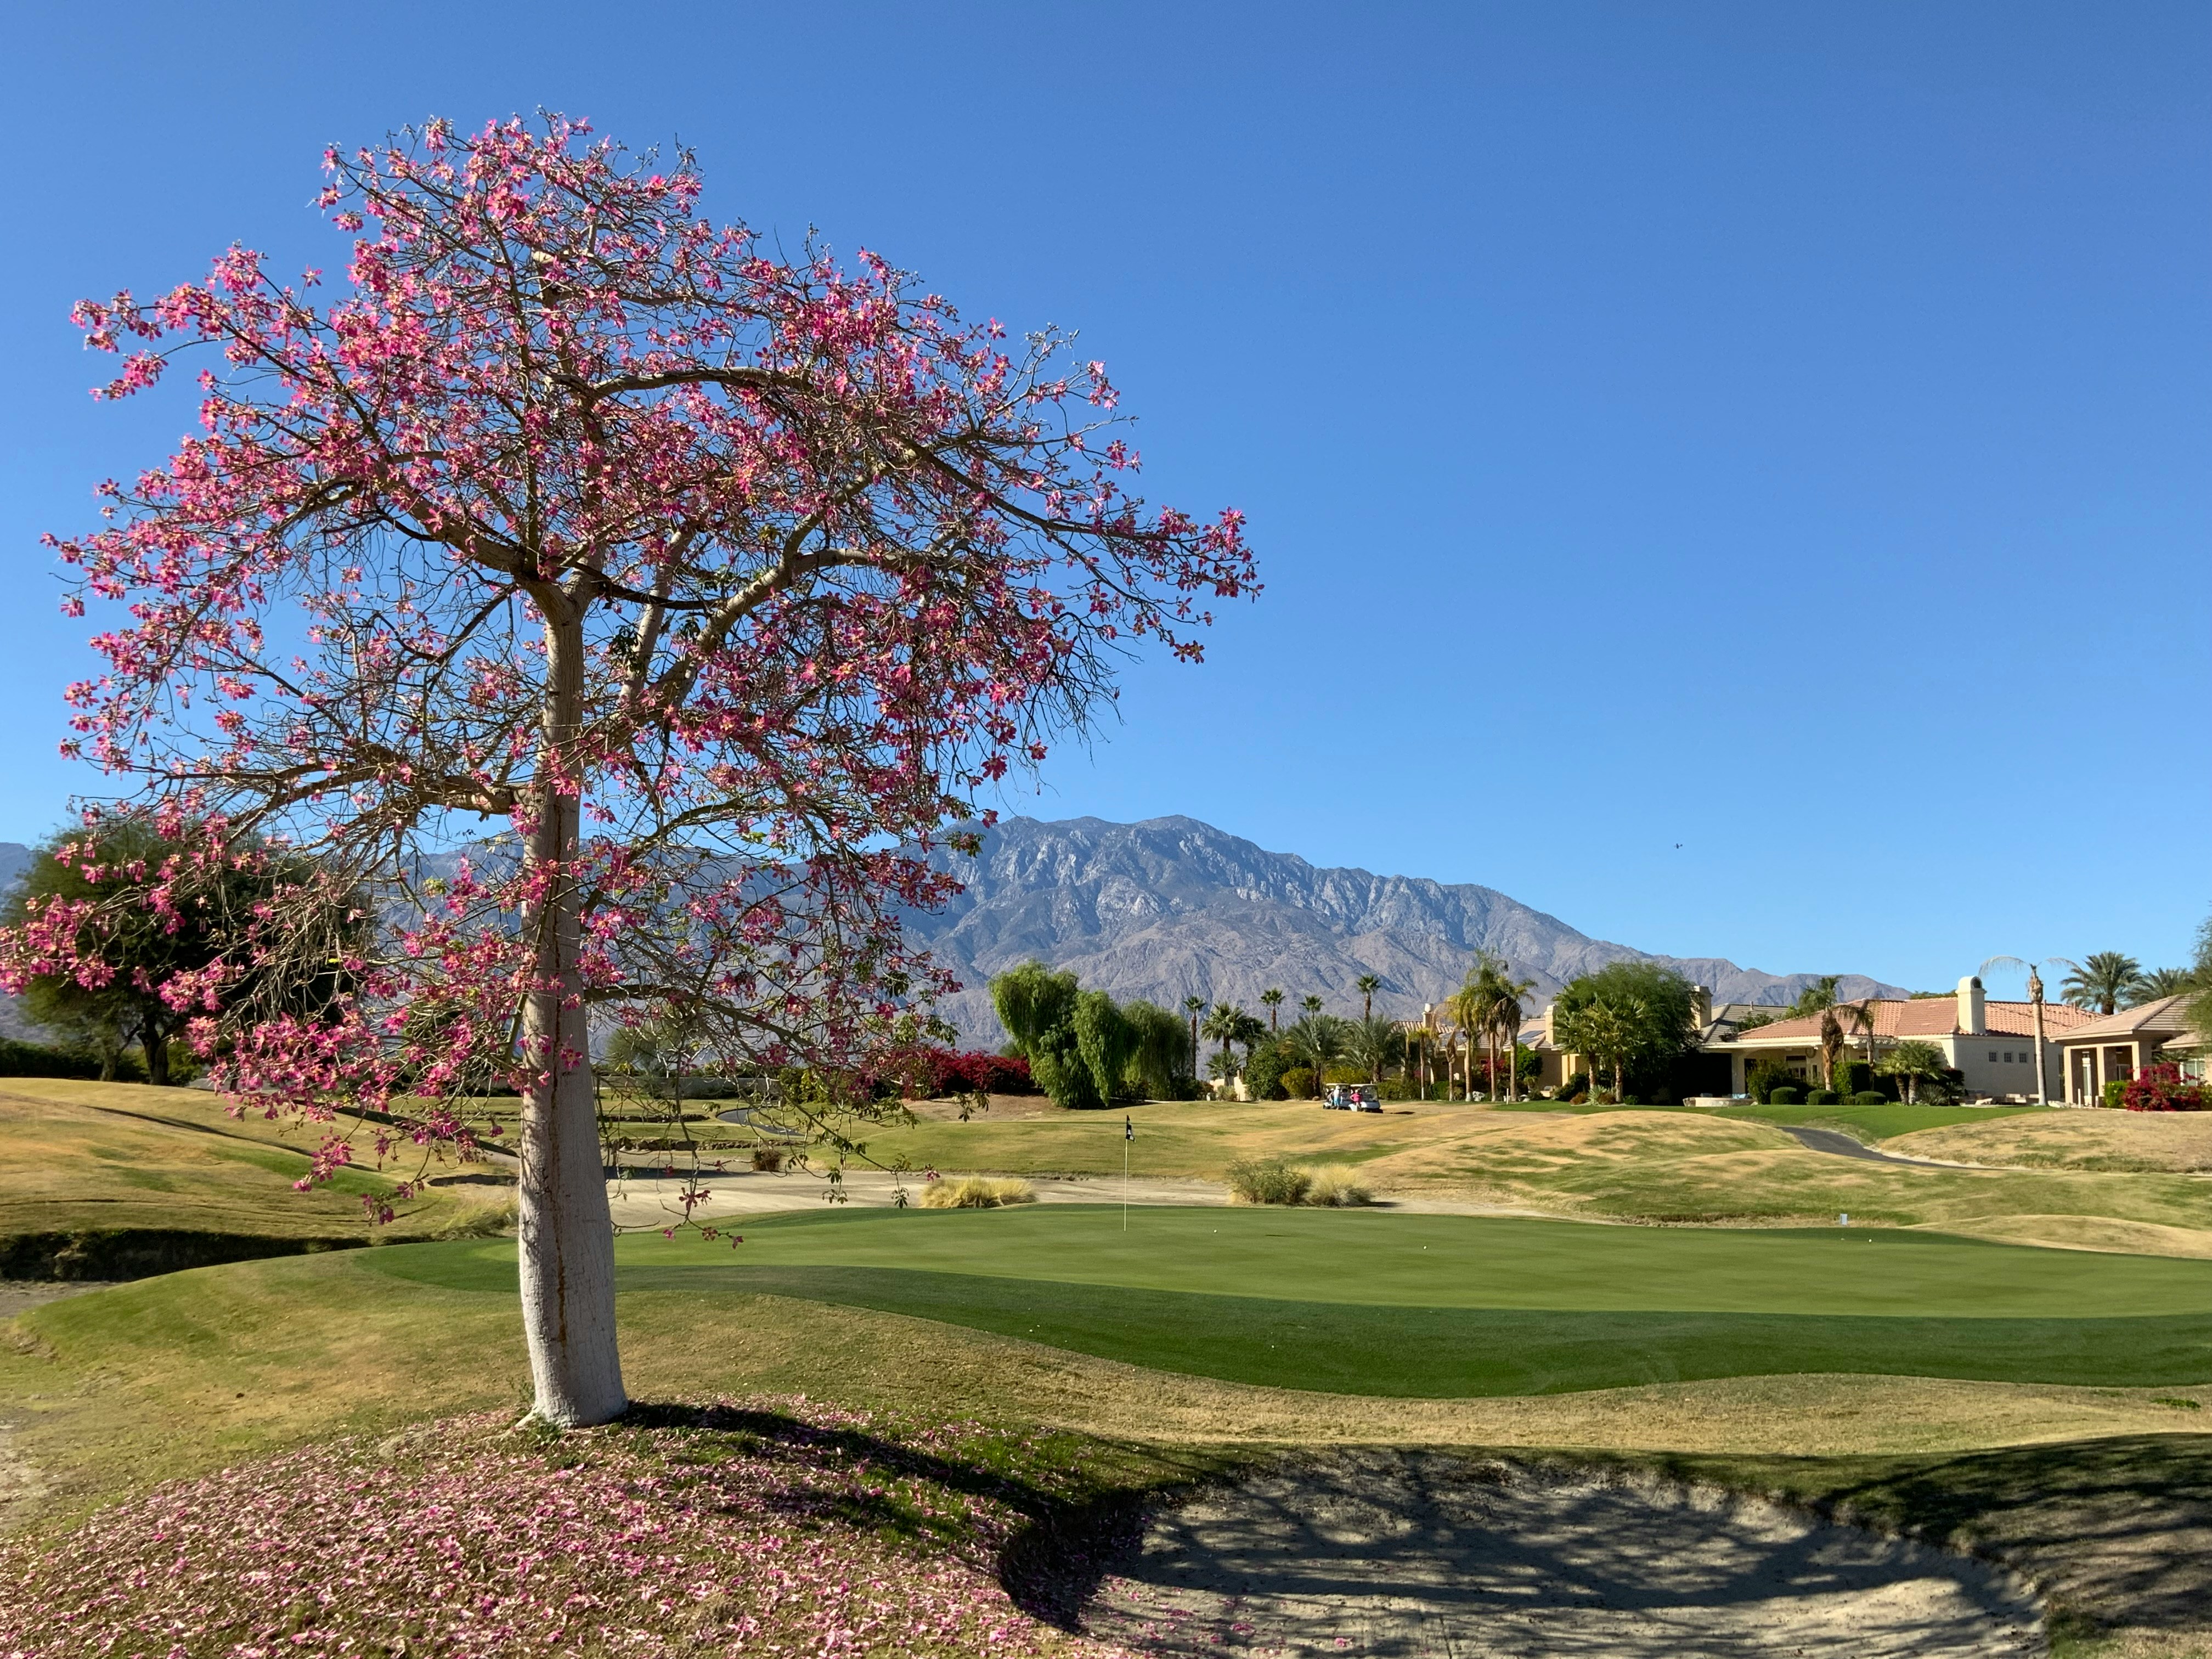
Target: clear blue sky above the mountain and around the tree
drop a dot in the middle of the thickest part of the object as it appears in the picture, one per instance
(1766, 428)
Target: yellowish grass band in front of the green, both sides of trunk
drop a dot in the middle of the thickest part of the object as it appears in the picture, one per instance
(189, 1373)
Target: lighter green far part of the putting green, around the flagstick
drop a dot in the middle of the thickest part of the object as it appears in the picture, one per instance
(1448, 1262)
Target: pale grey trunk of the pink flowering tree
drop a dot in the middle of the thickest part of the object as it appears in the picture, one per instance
(567, 1229)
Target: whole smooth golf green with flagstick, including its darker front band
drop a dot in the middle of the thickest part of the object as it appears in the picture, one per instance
(1448, 1306)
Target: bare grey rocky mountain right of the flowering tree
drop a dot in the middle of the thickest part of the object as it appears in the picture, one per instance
(1173, 908)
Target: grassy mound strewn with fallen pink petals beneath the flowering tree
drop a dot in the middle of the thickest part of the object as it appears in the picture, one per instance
(820, 1536)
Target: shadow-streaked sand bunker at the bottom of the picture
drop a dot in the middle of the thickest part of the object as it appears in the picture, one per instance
(1419, 1554)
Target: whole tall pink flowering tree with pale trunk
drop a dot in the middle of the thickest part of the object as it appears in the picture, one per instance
(632, 609)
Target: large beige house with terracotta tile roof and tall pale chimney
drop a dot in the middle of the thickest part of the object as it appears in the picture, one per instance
(1990, 1043)
